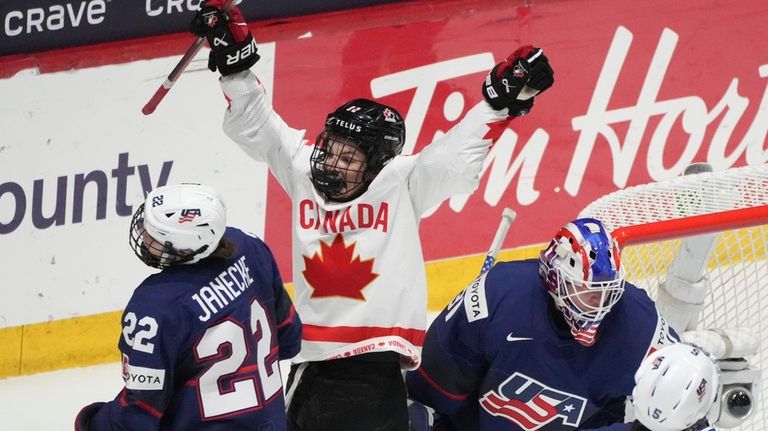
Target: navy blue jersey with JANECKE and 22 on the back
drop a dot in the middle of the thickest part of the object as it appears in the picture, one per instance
(200, 346)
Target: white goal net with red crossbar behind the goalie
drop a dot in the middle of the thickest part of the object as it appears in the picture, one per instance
(710, 224)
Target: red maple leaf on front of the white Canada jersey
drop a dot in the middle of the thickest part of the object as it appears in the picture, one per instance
(335, 271)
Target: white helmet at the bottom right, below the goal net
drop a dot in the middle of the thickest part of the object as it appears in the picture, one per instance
(675, 387)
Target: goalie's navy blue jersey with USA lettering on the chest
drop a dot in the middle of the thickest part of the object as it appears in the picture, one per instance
(500, 358)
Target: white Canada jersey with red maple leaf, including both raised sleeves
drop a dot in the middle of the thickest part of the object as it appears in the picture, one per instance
(358, 268)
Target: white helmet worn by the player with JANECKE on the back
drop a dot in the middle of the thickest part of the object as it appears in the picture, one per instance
(178, 224)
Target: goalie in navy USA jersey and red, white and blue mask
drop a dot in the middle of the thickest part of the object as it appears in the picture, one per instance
(547, 344)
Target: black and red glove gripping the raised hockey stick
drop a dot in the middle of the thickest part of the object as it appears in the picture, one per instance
(232, 46)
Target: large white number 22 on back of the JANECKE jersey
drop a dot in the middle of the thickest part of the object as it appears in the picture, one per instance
(219, 399)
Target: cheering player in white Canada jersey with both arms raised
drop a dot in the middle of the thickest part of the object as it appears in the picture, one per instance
(358, 269)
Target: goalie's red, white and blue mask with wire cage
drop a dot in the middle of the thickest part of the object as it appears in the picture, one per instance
(583, 274)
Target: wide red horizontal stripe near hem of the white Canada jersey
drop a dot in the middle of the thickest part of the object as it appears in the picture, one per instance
(353, 334)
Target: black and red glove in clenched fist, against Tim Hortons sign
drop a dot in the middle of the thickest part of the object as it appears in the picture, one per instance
(513, 82)
